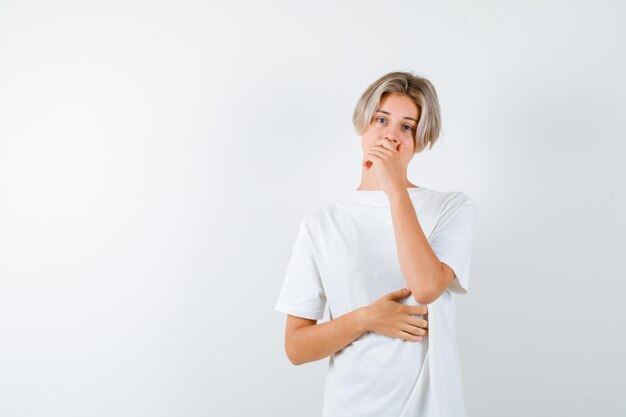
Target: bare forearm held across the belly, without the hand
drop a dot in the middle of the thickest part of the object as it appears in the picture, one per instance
(312, 343)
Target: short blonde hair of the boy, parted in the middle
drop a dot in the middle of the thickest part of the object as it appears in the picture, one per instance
(419, 89)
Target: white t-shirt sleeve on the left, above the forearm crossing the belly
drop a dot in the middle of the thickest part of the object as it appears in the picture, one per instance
(302, 293)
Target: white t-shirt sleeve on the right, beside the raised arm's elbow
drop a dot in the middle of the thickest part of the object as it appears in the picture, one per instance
(451, 241)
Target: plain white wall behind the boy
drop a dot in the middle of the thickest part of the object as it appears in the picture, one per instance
(156, 158)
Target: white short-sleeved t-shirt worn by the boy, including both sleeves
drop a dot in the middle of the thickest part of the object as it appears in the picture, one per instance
(345, 255)
